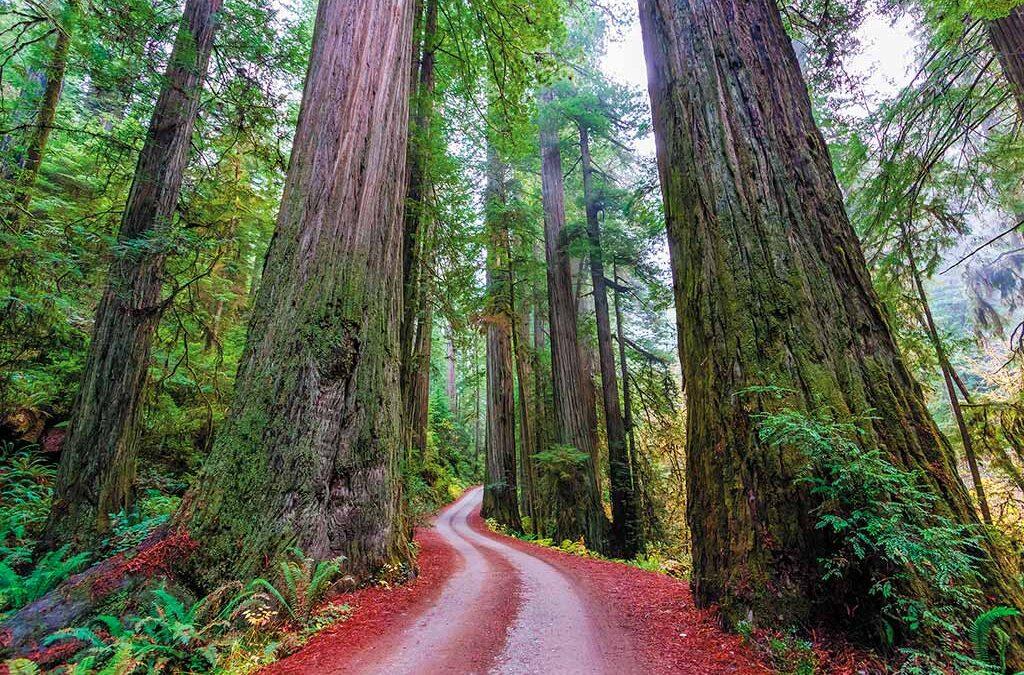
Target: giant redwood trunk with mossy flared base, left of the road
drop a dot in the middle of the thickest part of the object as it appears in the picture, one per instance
(309, 454)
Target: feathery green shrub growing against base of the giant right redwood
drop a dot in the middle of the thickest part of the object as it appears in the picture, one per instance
(924, 567)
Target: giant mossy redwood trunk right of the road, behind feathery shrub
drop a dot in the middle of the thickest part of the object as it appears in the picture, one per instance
(772, 289)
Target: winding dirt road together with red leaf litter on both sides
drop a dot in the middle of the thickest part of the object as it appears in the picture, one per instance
(486, 603)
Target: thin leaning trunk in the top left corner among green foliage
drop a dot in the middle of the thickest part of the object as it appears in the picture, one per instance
(45, 119)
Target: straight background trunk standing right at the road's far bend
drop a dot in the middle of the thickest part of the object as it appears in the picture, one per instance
(501, 498)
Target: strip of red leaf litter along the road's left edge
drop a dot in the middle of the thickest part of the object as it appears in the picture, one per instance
(378, 611)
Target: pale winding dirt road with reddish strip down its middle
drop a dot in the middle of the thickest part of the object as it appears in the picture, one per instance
(504, 611)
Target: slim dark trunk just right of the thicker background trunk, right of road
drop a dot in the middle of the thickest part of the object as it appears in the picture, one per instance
(625, 542)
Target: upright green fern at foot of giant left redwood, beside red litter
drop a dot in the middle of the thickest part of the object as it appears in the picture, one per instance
(305, 583)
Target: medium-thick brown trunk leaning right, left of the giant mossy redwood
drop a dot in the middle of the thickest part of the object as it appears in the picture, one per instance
(98, 466)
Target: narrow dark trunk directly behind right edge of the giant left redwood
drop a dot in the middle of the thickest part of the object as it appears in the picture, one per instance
(416, 227)
